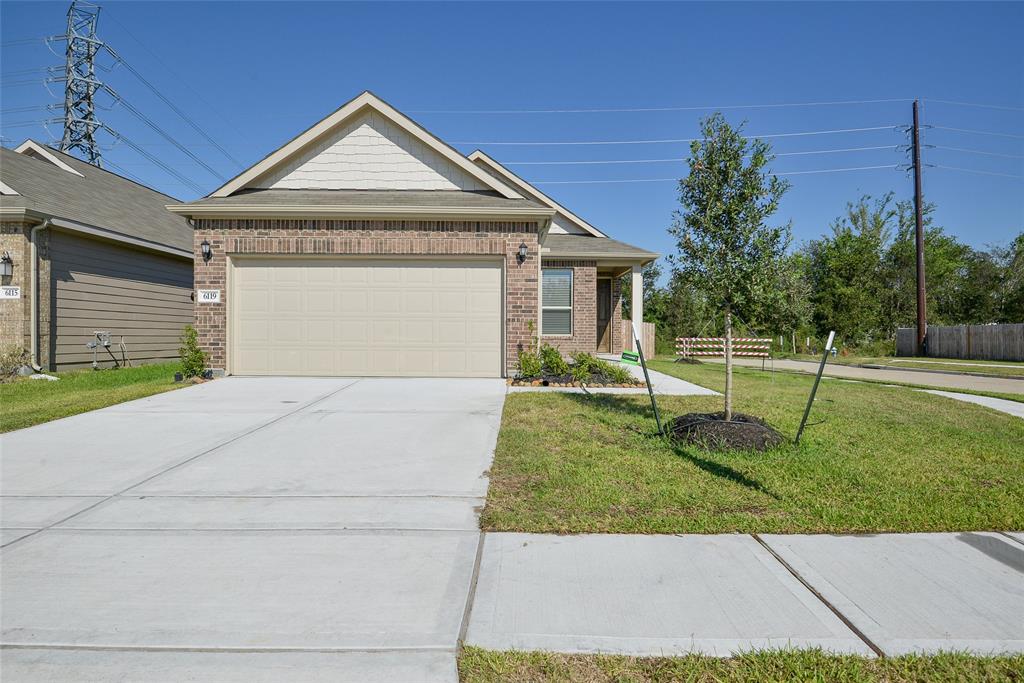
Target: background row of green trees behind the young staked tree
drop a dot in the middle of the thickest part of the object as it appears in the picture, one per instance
(859, 279)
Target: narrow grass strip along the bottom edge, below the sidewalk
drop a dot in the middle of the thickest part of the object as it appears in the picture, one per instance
(478, 666)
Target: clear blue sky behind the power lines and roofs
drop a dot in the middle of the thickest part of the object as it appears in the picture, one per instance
(253, 75)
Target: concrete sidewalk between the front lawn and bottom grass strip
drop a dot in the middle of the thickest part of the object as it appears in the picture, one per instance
(720, 595)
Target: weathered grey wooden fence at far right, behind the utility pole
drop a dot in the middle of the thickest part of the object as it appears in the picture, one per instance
(977, 343)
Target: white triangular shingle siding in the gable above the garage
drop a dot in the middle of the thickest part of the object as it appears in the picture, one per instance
(369, 153)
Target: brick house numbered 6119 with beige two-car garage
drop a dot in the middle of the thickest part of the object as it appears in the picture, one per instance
(368, 247)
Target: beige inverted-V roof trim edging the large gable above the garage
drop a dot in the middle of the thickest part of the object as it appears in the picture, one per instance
(358, 107)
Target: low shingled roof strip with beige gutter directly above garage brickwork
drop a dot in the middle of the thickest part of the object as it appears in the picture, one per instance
(364, 202)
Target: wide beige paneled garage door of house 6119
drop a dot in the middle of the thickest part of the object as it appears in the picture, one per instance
(366, 318)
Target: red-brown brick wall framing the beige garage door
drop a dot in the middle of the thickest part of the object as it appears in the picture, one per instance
(367, 238)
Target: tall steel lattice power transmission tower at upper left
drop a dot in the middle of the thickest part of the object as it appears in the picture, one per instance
(80, 114)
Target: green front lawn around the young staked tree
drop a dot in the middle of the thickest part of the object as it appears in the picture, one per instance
(881, 459)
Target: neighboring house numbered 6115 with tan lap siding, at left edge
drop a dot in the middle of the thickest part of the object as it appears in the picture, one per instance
(90, 251)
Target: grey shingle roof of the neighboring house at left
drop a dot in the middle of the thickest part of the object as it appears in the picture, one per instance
(90, 196)
